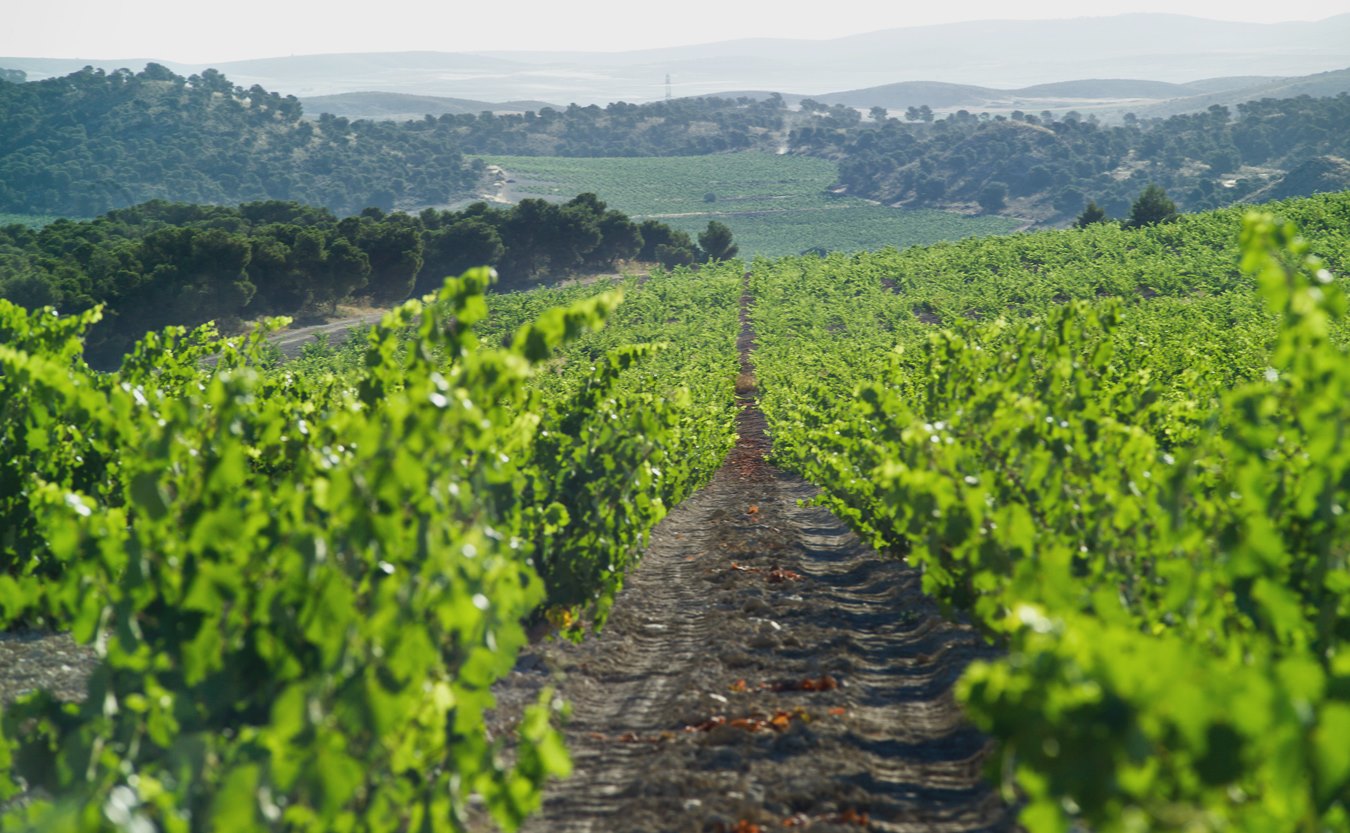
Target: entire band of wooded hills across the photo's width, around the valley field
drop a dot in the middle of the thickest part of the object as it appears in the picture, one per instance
(94, 141)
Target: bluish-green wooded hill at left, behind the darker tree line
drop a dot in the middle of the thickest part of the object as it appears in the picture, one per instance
(94, 141)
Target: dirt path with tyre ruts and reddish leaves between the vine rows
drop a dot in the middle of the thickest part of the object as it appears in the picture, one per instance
(763, 670)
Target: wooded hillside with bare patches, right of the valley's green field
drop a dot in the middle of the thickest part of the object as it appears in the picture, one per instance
(1058, 165)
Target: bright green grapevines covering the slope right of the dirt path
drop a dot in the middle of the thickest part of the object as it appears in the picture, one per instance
(1124, 454)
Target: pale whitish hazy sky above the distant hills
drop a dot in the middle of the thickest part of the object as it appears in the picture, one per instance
(173, 30)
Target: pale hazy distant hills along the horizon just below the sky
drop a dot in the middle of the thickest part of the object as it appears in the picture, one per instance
(998, 55)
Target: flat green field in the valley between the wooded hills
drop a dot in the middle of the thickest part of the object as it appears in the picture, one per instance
(774, 205)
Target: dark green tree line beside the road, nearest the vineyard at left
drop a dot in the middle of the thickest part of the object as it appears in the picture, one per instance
(163, 264)
